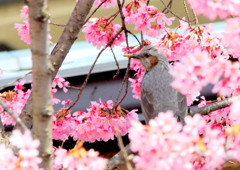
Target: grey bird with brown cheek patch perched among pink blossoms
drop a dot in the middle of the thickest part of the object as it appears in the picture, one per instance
(157, 95)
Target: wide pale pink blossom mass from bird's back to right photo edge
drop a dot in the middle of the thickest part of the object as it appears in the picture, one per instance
(203, 70)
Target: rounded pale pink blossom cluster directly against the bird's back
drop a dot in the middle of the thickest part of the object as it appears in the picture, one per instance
(187, 78)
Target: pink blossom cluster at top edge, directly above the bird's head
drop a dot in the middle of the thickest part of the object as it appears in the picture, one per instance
(146, 18)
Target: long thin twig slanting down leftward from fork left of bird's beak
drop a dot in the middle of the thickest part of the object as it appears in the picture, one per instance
(91, 69)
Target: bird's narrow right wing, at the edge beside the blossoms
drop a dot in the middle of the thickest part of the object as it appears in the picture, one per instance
(182, 107)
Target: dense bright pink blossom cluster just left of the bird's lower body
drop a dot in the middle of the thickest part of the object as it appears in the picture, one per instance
(102, 122)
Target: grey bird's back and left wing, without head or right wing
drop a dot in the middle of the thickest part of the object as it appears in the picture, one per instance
(157, 95)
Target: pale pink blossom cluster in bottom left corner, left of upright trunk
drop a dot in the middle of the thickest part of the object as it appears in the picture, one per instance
(28, 153)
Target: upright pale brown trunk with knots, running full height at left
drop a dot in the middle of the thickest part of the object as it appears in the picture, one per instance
(42, 78)
